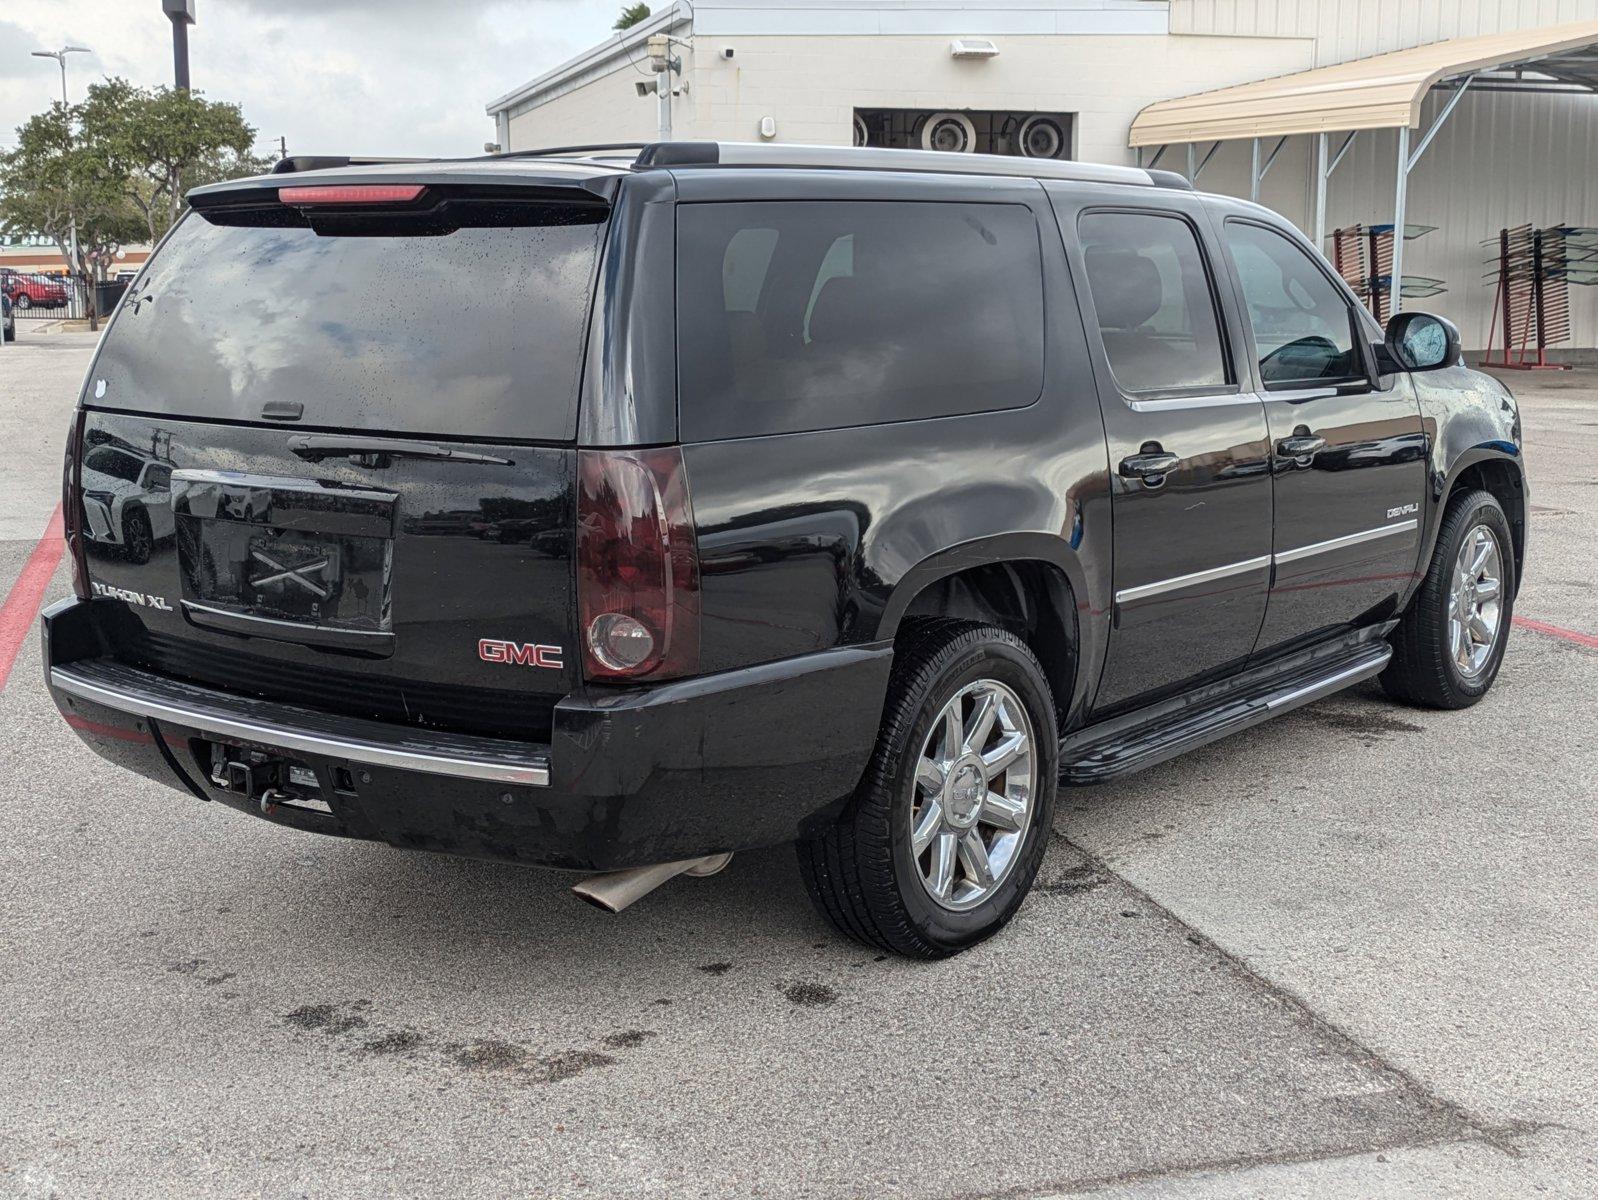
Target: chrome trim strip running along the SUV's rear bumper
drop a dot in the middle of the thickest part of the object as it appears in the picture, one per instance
(535, 773)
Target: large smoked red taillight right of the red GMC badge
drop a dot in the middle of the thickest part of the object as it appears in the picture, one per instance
(637, 565)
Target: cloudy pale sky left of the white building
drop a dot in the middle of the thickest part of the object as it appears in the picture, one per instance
(403, 77)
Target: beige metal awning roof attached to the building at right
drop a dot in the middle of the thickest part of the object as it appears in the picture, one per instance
(1378, 93)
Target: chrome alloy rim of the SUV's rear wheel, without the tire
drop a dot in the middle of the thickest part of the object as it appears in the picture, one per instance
(976, 781)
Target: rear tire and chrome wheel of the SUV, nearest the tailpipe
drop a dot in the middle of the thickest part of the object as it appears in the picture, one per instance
(865, 873)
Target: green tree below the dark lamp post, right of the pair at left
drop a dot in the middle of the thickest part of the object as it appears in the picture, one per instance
(159, 143)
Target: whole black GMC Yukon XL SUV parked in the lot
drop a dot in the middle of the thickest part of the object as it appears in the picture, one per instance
(618, 511)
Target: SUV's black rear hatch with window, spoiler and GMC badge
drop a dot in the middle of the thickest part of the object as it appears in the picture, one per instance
(328, 445)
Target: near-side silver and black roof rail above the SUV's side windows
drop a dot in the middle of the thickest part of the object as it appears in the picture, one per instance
(878, 159)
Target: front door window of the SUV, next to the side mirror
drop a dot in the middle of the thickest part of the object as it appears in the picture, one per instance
(1303, 328)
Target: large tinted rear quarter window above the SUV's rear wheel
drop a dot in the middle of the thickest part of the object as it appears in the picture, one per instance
(829, 314)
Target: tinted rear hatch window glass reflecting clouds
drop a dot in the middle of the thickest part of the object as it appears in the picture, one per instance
(475, 333)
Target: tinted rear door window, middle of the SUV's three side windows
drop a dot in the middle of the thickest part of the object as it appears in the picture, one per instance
(1155, 306)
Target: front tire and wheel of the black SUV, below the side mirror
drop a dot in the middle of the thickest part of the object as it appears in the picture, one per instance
(1429, 669)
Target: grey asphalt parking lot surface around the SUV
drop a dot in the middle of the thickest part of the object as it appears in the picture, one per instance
(1351, 953)
